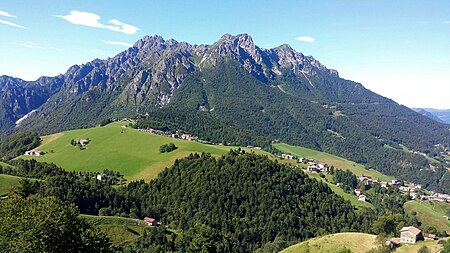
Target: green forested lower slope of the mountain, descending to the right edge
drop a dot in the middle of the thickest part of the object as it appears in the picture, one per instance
(227, 105)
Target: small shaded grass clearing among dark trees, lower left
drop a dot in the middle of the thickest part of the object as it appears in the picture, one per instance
(119, 230)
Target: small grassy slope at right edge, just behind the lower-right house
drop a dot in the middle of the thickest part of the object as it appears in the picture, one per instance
(430, 213)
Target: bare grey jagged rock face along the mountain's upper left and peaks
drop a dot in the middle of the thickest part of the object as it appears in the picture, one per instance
(146, 75)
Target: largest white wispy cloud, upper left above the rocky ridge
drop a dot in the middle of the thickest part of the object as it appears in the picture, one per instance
(93, 20)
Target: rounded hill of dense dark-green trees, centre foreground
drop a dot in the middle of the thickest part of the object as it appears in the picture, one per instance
(238, 203)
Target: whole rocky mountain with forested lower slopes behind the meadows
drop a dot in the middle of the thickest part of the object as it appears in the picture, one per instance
(233, 92)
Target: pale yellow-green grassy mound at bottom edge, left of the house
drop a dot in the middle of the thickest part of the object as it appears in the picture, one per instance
(356, 242)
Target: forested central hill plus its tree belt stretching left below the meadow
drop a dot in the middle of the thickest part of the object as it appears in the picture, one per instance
(246, 200)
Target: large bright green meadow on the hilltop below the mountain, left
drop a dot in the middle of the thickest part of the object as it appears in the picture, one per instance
(129, 151)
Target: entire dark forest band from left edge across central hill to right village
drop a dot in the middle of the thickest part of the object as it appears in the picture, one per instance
(235, 203)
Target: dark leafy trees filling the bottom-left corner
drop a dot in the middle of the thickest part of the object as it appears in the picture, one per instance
(43, 224)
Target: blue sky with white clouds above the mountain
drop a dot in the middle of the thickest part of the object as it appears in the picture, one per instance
(399, 49)
